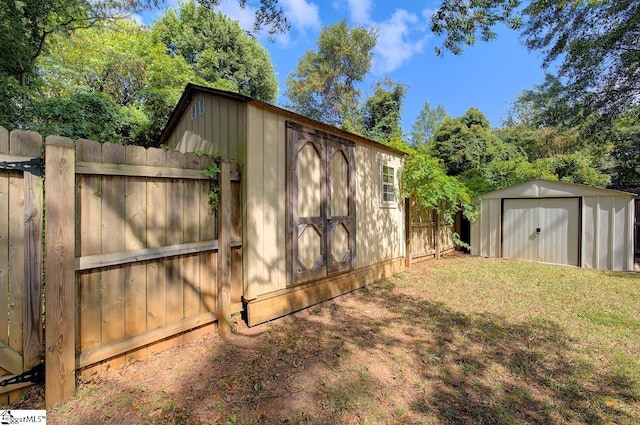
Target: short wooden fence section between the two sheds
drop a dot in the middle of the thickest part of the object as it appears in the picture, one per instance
(427, 237)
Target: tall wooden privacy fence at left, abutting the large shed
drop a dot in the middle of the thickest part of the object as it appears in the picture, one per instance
(135, 258)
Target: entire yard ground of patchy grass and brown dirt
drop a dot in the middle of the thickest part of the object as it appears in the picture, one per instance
(458, 341)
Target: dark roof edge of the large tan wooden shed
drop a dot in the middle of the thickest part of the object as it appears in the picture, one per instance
(192, 89)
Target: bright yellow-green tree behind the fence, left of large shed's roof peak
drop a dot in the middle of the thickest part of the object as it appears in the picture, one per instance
(126, 63)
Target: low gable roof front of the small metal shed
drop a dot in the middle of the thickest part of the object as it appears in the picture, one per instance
(540, 188)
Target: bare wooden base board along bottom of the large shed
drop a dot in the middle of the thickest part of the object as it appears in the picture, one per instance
(269, 307)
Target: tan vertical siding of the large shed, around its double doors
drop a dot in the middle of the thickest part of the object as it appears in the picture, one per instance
(256, 137)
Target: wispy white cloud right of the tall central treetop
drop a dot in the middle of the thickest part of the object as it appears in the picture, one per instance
(395, 43)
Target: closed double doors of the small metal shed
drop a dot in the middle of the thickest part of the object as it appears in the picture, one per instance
(546, 230)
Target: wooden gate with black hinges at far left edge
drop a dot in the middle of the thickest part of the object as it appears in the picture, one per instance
(21, 194)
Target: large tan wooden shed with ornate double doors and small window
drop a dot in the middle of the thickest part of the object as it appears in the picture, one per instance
(320, 215)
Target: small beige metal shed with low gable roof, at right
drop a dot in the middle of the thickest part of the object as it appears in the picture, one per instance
(555, 222)
